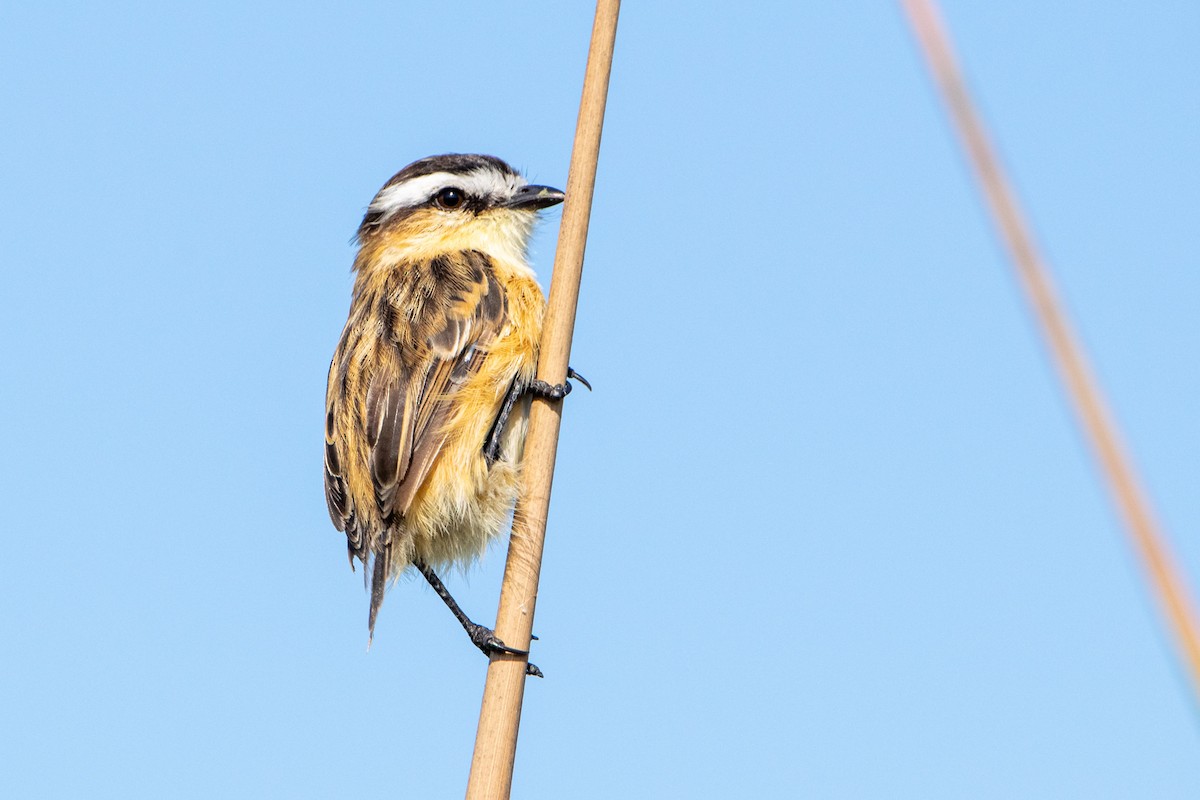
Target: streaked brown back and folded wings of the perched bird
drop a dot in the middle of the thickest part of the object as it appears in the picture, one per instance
(410, 346)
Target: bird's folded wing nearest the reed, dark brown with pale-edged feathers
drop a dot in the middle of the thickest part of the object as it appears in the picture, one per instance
(463, 310)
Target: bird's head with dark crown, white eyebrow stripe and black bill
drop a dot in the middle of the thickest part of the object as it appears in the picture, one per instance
(454, 203)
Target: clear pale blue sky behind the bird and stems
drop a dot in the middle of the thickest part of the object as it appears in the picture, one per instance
(825, 528)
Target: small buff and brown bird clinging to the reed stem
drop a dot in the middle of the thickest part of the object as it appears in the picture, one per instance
(430, 386)
